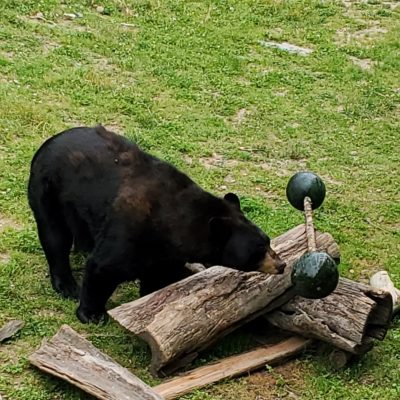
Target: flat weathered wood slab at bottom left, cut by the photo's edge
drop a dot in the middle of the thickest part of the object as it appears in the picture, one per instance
(71, 357)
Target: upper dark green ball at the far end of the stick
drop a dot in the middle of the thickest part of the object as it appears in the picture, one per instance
(304, 184)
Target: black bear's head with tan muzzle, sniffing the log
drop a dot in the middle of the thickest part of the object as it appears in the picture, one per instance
(242, 245)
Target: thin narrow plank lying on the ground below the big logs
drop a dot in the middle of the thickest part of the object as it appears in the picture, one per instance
(231, 367)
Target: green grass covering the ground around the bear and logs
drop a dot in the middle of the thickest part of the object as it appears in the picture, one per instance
(190, 83)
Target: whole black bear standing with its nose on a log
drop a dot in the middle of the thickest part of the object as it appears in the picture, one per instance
(137, 216)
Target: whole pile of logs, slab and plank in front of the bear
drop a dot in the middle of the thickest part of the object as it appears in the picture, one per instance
(185, 318)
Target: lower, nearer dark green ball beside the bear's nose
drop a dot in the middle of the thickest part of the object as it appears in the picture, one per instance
(315, 275)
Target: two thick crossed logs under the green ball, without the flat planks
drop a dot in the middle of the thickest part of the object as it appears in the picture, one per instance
(185, 318)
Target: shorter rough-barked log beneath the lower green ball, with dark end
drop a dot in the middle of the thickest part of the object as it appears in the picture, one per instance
(349, 318)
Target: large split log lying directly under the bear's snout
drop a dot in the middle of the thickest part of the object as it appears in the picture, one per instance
(186, 317)
